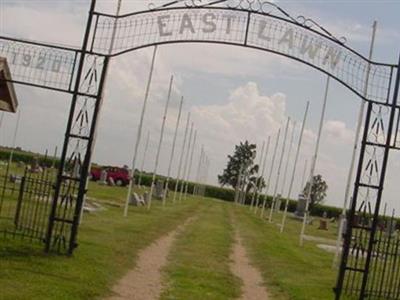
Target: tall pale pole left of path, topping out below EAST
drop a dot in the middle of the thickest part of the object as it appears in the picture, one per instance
(139, 134)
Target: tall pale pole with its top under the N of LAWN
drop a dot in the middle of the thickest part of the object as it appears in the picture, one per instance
(313, 163)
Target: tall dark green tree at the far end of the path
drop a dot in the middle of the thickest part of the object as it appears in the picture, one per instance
(241, 162)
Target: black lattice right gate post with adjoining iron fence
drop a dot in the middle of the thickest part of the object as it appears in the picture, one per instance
(370, 260)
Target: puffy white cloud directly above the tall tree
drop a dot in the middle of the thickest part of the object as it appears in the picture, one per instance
(247, 114)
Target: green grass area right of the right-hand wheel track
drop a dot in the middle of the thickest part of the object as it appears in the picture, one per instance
(289, 271)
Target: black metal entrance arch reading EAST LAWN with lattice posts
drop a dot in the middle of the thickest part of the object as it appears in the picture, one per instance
(254, 24)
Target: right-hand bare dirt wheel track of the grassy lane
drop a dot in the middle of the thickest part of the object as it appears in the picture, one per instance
(252, 288)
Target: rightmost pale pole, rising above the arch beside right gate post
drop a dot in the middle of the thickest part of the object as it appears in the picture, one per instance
(355, 147)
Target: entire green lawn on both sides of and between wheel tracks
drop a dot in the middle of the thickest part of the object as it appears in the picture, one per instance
(198, 264)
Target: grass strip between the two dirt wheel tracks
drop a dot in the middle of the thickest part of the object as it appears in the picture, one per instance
(199, 262)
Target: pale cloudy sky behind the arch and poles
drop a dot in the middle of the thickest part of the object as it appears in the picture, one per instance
(233, 93)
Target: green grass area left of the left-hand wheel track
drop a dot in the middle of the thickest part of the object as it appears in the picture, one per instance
(108, 247)
